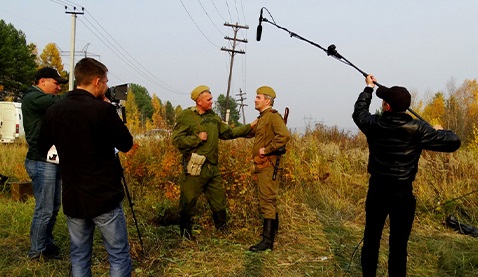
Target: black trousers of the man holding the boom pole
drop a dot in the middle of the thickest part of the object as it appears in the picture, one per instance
(400, 207)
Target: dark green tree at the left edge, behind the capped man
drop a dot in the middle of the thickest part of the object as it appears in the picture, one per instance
(17, 59)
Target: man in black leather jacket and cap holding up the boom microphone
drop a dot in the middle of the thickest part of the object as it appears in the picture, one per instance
(395, 142)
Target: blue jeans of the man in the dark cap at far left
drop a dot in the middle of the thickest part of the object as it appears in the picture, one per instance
(46, 184)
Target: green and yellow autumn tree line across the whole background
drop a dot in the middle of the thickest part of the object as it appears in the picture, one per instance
(455, 109)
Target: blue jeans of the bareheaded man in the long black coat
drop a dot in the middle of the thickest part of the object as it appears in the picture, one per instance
(112, 226)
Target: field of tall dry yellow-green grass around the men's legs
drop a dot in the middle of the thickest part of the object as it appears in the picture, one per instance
(322, 204)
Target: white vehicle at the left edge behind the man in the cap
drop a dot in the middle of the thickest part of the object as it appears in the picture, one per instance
(11, 122)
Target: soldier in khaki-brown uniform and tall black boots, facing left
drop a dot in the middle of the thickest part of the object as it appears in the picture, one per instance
(271, 134)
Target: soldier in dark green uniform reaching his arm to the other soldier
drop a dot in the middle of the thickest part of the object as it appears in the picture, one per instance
(196, 134)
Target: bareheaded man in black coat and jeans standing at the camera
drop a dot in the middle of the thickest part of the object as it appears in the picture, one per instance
(86, 129)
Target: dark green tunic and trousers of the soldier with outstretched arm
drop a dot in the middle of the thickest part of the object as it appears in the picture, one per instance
(185, 137)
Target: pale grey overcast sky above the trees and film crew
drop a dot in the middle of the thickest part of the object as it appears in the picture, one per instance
(170, 47)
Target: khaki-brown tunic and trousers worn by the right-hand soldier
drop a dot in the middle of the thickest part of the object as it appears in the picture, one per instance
(272, 134)
